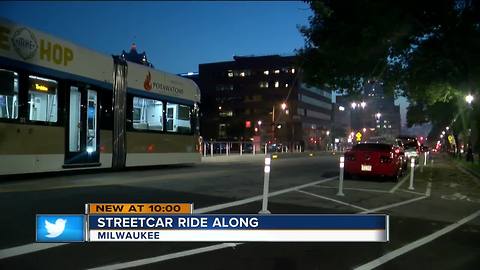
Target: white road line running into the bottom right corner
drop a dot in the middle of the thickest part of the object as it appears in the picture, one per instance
(420, 242)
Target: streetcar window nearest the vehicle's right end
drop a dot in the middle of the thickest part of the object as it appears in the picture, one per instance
(179, 118)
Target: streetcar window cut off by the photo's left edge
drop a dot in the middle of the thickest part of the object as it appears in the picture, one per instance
(8, 94)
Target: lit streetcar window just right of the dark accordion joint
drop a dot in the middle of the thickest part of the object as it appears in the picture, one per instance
(147, 114)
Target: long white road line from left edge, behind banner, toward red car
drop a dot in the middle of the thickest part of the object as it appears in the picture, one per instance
(35, 247)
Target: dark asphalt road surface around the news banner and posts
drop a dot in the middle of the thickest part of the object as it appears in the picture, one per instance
(424, 233)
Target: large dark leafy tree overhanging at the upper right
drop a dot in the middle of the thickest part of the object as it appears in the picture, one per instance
(427, 51)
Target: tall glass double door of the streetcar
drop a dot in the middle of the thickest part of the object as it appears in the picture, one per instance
(82, 128)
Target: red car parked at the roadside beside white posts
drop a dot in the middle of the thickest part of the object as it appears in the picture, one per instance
(375, 159)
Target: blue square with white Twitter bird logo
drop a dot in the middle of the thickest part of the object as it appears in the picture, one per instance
(60, 228)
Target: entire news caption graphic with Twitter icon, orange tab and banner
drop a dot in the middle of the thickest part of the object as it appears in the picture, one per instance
(165, 222)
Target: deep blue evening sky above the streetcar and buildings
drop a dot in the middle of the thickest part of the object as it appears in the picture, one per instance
(177, 36)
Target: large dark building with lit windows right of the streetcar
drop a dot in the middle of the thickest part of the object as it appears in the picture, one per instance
(262, 98)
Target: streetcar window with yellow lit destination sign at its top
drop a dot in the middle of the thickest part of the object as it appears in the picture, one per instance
(42, 99)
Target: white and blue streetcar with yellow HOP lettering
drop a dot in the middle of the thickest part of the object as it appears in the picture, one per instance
(64, 107)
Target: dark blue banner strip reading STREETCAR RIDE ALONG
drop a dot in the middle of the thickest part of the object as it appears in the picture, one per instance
(238, 222)
